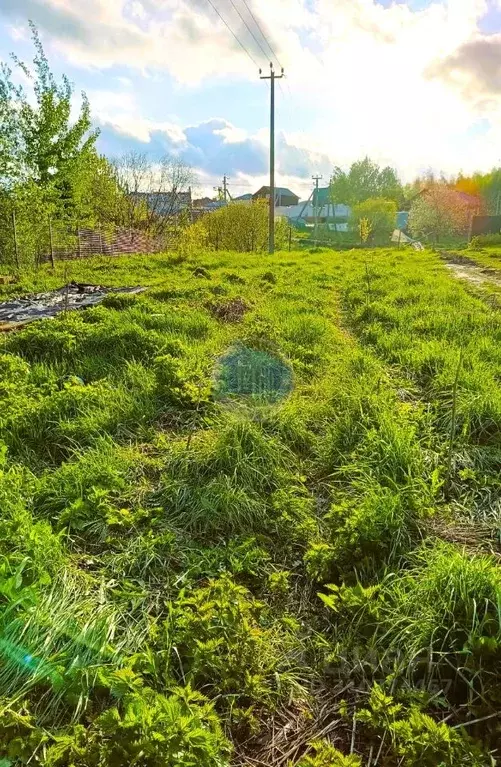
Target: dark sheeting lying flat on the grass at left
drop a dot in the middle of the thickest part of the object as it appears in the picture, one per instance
(39, 306)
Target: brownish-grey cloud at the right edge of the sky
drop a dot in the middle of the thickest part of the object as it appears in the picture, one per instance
(480, 59)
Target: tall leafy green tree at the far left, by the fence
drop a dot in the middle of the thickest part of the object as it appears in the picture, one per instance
(49, 167)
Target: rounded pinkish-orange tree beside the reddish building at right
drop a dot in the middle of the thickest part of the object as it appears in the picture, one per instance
(439, 212)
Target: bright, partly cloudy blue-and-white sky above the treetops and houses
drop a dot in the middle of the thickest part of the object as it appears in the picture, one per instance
(415, 84)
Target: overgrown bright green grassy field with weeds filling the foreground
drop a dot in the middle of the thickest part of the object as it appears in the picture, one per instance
(252, 516)
